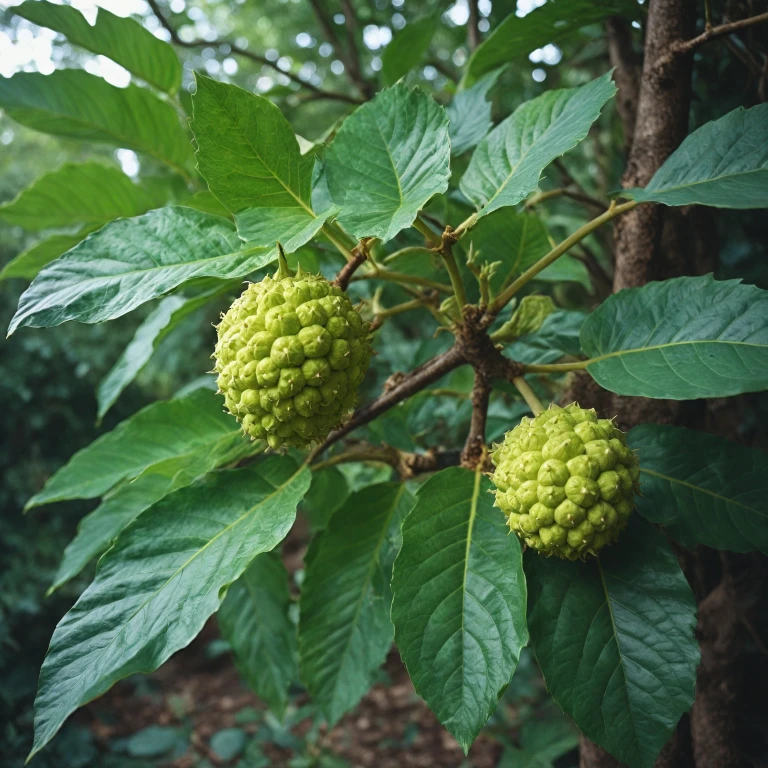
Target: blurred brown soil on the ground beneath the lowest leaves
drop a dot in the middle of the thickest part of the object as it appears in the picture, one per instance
(391, 728)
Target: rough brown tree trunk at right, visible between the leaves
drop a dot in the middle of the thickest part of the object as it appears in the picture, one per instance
(654, 242)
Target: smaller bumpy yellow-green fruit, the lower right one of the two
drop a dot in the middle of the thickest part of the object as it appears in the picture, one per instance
(566, 481)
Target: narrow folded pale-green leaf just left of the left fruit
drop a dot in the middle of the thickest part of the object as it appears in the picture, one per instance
(156, 326)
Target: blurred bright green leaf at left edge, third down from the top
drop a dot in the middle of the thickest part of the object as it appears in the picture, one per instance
(76, 193)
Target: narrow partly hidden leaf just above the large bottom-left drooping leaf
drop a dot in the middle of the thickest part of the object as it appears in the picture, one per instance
(98, 529)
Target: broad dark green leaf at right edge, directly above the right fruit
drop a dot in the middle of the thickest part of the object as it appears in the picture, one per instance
(680, 339)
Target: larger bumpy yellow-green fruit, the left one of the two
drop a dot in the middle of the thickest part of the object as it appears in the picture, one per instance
(290, 355)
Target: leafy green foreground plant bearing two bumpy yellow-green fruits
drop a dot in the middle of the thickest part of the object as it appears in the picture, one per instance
(503, 513)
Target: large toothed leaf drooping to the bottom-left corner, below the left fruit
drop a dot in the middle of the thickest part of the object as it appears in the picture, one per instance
(166, 574)
